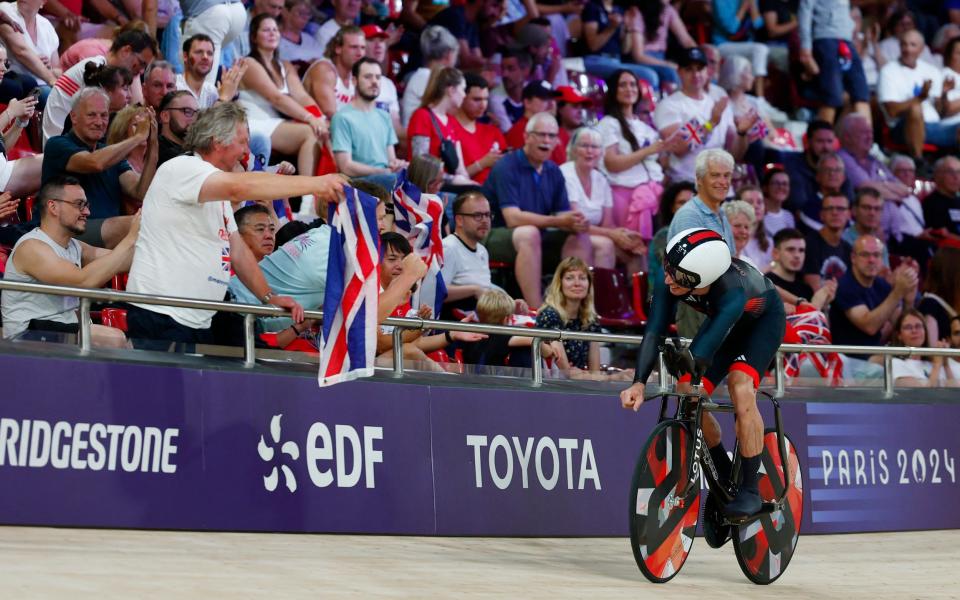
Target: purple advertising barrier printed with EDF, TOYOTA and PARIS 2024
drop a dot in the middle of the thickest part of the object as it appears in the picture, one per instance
(85, 443)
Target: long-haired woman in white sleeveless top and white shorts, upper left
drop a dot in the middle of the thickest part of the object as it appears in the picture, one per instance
(276, 103)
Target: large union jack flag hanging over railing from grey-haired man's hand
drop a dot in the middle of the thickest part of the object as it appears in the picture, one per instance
(349, 339)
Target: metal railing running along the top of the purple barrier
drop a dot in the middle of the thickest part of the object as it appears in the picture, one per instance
(401, 324)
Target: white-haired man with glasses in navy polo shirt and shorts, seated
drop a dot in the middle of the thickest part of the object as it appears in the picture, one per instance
(532, 216)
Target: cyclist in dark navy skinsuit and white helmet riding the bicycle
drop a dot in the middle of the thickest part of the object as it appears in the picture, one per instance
(739, 339)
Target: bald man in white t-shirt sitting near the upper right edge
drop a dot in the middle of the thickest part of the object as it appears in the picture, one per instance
(912, 96)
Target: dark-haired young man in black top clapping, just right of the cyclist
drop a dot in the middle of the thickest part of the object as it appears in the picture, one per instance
(789, 254)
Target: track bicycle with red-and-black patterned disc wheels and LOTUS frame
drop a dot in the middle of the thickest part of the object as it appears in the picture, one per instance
(665, 493)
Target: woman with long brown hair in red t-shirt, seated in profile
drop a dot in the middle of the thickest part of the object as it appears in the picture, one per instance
(431, 129)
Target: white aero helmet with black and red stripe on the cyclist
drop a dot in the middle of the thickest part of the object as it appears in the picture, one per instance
(697, 257)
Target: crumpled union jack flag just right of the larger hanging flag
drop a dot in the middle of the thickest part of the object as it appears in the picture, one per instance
(418, 217)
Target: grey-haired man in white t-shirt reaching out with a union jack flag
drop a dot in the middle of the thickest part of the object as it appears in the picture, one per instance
(189, 241)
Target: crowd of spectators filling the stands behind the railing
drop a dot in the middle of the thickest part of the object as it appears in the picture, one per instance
(819, 137)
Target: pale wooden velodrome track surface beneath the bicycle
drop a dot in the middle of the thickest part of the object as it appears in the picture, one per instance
(99, 563)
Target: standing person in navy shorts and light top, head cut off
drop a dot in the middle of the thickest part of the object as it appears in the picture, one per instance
(829, 57)
